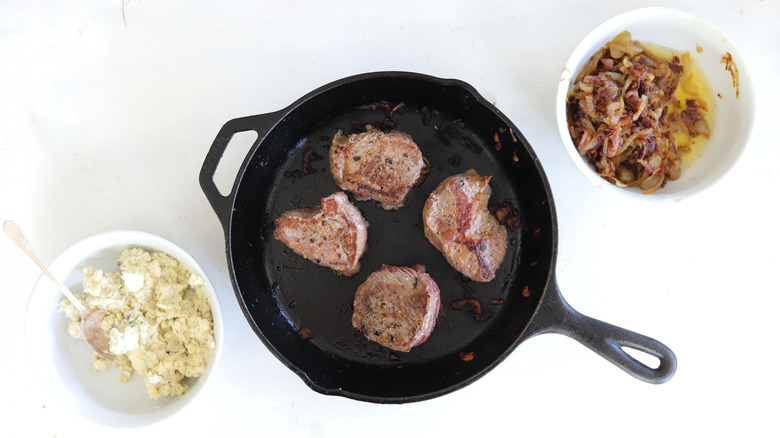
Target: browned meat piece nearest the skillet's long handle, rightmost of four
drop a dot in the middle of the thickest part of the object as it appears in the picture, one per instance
(457, 222)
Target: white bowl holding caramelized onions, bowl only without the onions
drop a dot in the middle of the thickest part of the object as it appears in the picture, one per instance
(681, 32)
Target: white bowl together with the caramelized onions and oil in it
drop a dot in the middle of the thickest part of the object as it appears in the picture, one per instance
(655, 103)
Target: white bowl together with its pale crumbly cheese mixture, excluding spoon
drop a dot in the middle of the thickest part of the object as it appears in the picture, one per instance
(166, 329)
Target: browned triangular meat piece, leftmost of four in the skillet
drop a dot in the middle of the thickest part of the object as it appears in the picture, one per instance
(332, 234)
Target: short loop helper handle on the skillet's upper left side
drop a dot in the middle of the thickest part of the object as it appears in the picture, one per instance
(223, 205)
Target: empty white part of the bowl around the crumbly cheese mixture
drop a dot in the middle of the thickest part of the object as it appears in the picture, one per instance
(63, 363)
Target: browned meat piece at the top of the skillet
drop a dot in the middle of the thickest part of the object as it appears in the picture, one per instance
(376, 165)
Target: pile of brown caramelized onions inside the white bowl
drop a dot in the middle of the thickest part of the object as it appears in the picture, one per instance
(623, 115)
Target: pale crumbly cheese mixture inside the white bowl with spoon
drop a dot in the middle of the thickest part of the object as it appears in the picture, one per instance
(160, 325)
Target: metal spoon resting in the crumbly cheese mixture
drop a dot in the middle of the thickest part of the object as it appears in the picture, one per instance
(91, 319)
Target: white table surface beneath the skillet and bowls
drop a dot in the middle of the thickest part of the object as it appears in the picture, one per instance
(105, 126)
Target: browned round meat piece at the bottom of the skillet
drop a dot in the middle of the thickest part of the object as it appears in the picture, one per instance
(397, 307)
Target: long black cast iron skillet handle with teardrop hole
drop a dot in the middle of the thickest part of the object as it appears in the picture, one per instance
(605, 339)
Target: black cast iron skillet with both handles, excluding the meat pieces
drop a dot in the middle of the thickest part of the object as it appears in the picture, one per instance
(302, 312)
